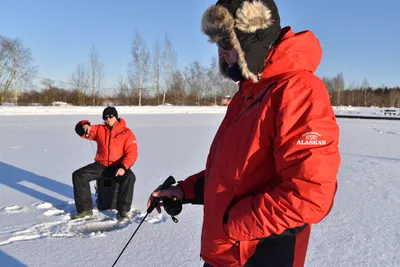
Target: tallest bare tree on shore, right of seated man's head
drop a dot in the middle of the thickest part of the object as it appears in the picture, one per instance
(139, 64)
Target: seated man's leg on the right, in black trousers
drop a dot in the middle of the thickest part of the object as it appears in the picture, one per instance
(125, 190)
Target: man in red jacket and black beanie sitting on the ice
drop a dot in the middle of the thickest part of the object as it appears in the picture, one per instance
(116, 153)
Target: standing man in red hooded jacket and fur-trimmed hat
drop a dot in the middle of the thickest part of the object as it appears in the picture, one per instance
(272, 166)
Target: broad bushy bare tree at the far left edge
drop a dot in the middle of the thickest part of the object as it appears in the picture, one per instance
(16, 67)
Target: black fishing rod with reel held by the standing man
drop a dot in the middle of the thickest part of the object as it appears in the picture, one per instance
(171, 205)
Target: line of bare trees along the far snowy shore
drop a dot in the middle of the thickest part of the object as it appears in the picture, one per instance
(152, 78)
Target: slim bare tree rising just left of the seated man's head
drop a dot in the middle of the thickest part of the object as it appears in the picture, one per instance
(96, 74)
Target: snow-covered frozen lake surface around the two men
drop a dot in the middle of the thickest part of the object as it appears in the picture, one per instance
(39, 153)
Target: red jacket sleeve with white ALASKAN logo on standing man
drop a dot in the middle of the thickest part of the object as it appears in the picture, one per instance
(307, 161)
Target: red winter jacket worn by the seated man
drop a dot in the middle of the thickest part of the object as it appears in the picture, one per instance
(116, 146)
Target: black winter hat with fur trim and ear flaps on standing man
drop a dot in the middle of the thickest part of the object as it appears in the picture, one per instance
(250, 26)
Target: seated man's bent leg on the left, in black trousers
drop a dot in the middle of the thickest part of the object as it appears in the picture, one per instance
(80, 180)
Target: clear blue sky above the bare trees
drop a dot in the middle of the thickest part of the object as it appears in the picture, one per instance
(359, 38)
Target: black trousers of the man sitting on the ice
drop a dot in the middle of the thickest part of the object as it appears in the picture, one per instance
(96, 171)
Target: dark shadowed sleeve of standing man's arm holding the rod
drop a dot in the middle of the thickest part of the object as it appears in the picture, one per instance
(193, 188)
